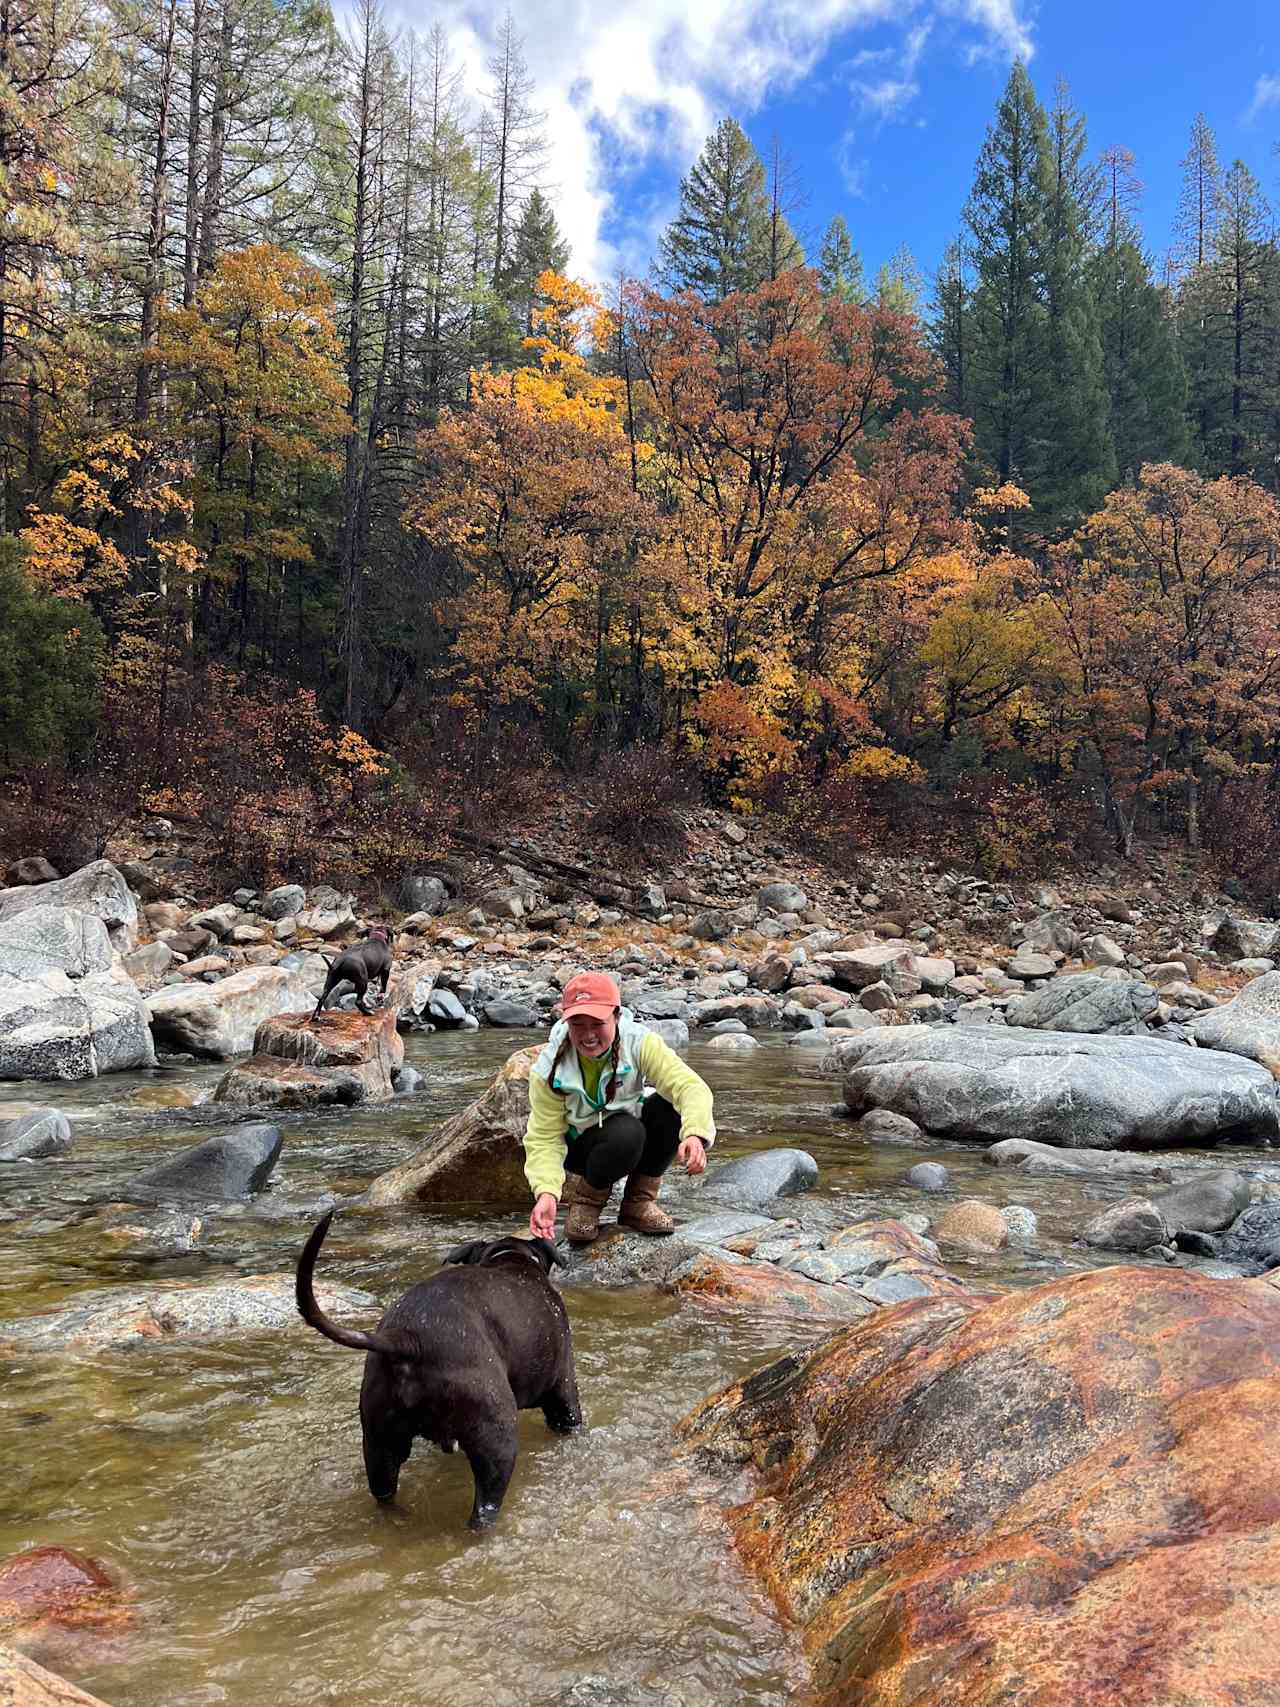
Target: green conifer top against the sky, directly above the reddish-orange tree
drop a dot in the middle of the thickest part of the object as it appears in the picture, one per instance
(726, 235)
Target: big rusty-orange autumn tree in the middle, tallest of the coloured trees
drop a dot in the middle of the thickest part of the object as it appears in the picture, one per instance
(783, 446)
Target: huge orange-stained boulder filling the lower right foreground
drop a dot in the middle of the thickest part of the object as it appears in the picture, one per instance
(1062, 1498)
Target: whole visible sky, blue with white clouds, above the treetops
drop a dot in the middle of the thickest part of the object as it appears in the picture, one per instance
(881, 105)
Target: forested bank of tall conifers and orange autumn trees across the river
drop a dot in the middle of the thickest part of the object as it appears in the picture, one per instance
(330, 498)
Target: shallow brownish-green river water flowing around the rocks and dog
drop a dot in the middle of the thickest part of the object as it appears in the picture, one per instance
(223, 1483)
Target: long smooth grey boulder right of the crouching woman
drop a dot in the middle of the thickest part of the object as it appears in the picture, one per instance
(1057, 1088)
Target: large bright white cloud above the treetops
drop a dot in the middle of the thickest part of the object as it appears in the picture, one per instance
(629, 84)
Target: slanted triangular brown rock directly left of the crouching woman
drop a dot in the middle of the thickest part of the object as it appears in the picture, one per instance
(477, 1156)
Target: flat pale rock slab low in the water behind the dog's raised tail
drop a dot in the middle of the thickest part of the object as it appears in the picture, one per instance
(194, 1310)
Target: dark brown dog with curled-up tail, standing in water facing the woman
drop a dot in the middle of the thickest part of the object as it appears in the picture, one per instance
(457, 1358)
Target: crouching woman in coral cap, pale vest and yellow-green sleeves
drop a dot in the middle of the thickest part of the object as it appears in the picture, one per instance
(608, 1102)
